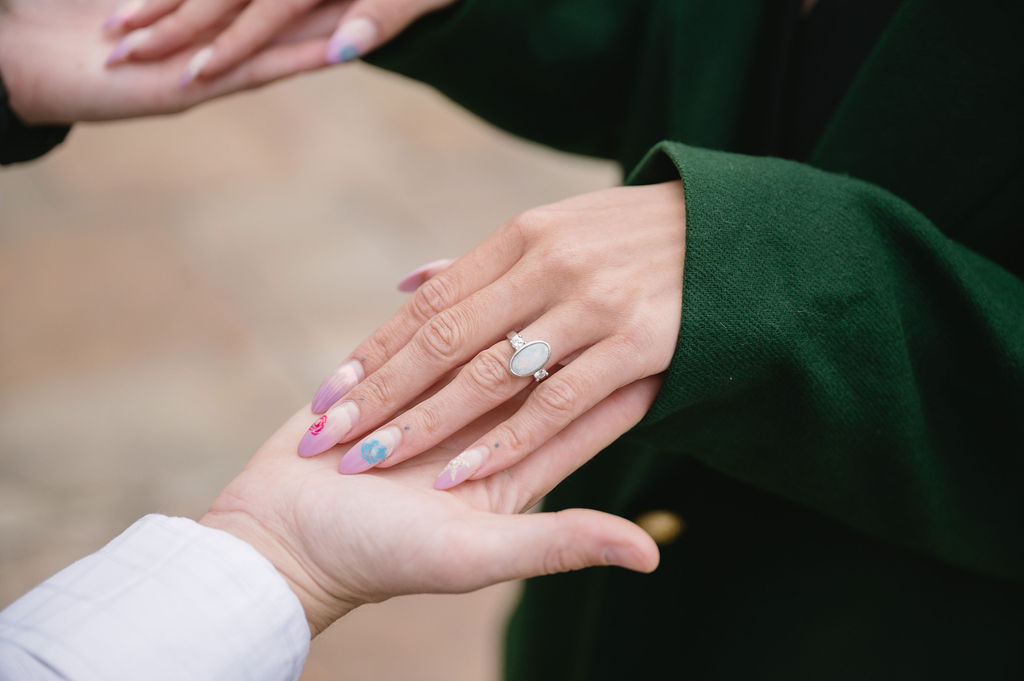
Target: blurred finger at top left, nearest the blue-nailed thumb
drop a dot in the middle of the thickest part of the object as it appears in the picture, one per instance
(259, 24)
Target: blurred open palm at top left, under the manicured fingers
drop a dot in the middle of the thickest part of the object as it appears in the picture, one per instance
(53, 62)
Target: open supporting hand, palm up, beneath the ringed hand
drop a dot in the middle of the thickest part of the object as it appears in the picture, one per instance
(345, 541)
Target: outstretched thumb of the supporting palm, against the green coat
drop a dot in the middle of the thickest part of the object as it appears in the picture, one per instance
(524, 546)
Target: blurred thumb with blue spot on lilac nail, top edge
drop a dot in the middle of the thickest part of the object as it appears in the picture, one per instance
(370, 24)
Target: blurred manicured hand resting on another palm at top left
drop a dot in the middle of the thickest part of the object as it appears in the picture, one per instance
(160, 28)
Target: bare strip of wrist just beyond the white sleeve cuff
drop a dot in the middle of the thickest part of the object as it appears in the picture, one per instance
(321, 608)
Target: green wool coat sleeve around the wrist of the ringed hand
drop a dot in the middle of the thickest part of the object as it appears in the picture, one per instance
(838, 350)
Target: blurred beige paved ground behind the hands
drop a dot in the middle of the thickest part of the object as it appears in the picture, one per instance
(173, 289)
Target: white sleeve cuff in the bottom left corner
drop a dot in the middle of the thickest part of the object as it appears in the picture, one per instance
(169, 600)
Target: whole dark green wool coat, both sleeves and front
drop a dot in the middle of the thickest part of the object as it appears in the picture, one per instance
(842, 427)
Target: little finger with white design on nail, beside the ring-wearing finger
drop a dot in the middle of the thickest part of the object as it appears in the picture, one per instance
(556, 404)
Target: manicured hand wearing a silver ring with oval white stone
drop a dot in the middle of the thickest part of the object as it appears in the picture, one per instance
(599, 277)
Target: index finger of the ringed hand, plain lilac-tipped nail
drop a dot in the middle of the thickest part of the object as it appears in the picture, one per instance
(477, 270)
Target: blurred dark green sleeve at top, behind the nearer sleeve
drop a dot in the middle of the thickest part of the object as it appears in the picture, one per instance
(580, 75)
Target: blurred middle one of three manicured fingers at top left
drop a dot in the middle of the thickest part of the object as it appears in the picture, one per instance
(176, 31)
